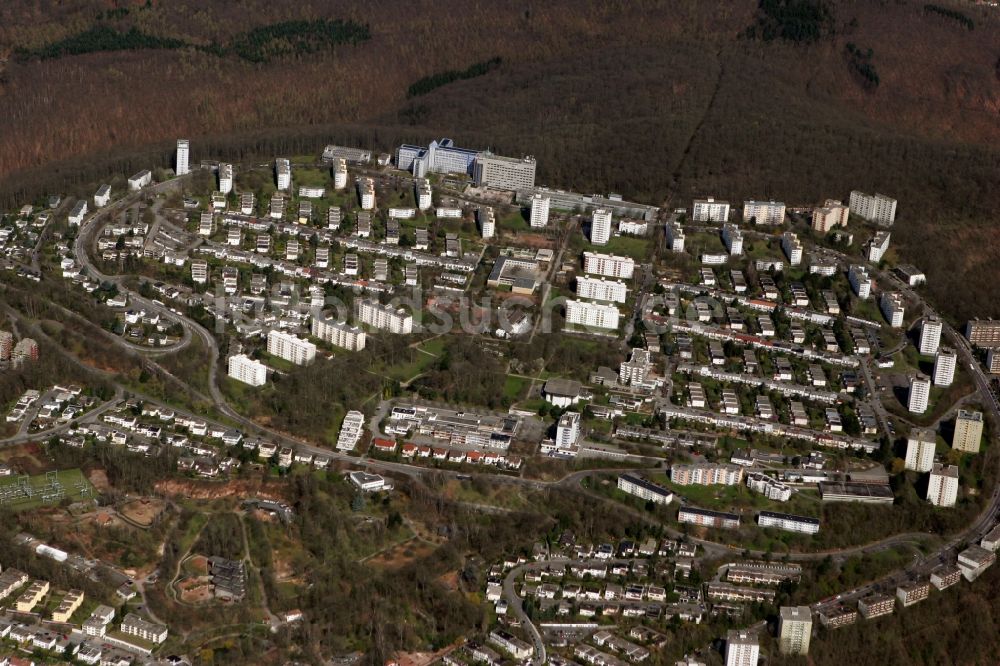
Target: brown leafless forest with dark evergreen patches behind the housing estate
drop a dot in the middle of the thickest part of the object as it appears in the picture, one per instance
(659, 100)
